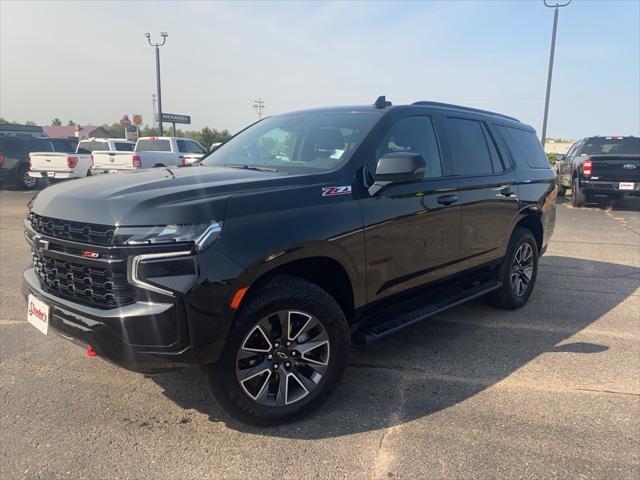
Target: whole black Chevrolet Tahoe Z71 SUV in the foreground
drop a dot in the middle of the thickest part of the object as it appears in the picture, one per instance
(302, 233)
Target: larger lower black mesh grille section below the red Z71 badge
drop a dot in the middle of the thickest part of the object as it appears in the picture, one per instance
(87, 284)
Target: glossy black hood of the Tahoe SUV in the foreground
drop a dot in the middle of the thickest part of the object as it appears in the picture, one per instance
(151, 197)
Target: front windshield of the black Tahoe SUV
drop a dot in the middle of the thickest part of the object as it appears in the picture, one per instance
(296, 142)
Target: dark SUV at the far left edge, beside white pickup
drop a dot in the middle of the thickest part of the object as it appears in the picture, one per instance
(14, 156)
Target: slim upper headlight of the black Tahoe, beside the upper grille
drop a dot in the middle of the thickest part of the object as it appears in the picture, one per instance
(202, 235)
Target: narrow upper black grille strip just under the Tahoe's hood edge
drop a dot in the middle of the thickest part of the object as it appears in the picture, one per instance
(74, 231)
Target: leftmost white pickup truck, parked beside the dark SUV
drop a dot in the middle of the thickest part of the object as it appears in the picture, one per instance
(54, 166)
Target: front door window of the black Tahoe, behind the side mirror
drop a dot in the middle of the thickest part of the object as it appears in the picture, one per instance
(415, 135)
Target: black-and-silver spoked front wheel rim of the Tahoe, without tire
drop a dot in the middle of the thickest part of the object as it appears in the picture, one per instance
(283, 358)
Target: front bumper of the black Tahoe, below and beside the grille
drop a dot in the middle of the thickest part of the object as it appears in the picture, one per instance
(156, 332)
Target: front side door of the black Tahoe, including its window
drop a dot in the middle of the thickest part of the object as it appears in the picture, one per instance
(411, 230)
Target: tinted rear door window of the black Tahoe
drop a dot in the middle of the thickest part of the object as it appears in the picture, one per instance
(468, 145)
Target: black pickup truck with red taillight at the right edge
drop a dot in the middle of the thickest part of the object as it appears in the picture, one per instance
(600, 167)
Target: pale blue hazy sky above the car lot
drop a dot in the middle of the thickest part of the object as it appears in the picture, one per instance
(90, 62)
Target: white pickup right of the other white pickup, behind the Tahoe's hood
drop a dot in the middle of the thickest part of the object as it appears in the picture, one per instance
(150, 152)
